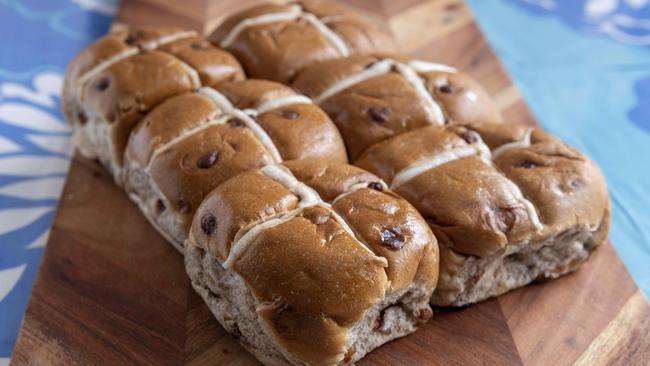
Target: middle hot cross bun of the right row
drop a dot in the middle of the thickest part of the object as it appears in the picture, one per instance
(374, 97)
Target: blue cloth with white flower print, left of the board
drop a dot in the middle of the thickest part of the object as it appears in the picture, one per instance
(38, 39)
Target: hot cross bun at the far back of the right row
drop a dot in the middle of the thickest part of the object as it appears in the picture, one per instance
(275, 41)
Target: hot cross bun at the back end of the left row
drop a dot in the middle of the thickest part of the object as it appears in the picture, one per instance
(125, 74)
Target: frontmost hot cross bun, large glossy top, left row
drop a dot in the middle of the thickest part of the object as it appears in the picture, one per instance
(317, 282)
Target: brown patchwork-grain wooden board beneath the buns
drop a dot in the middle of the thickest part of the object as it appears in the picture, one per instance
(111, 291)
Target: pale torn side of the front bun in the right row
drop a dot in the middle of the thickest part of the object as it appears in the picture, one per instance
(468, 279)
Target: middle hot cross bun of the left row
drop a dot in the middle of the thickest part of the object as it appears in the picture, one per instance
(191, 144)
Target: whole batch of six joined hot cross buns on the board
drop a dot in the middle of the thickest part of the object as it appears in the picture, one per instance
(307, 260)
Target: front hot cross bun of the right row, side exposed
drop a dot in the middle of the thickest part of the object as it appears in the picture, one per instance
(509, 204)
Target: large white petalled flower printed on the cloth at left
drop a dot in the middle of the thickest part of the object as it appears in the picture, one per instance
(31, 174)
